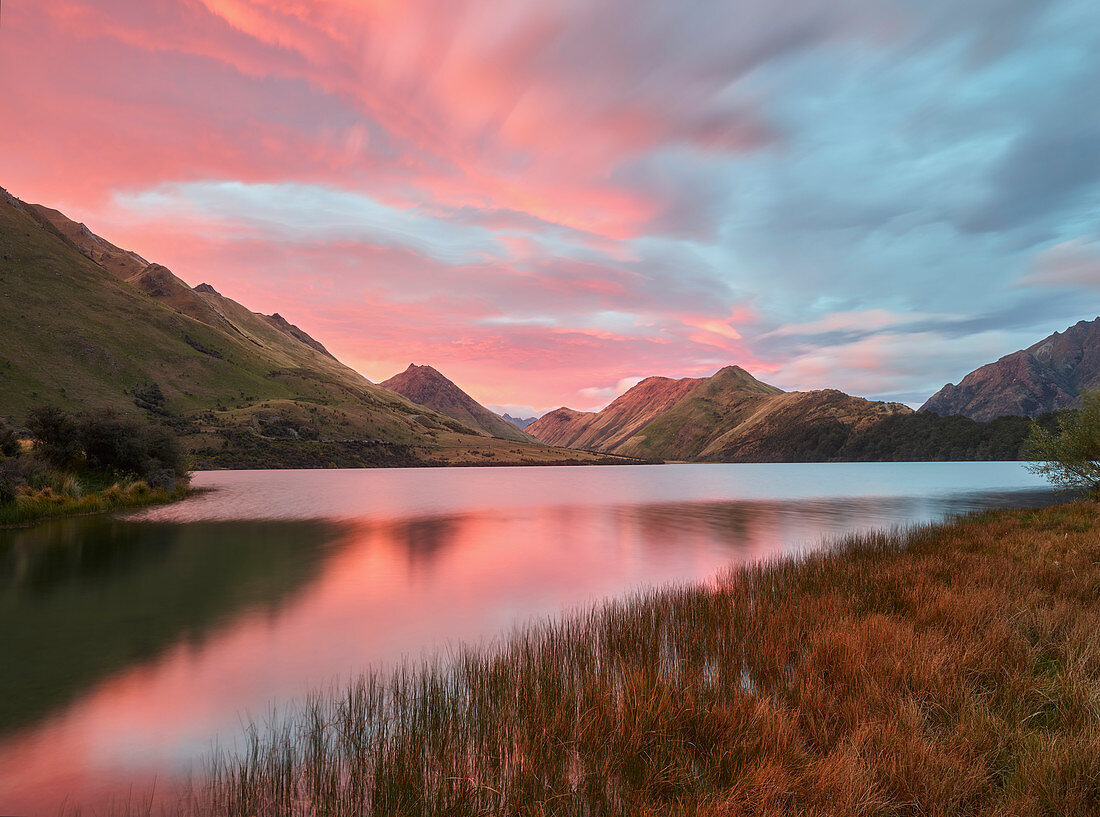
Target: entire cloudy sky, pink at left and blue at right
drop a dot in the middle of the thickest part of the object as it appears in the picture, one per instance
(551, 201)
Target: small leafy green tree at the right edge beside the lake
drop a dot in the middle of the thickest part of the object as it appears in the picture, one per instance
(1071, 458)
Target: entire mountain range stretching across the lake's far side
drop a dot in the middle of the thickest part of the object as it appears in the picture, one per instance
(89, 325)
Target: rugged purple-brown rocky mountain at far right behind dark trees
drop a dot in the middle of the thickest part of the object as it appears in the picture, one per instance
(1048, 377)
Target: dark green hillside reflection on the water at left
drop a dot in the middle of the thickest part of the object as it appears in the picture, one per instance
(82, 599)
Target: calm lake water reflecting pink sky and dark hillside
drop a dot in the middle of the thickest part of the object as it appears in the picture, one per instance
(129, 645)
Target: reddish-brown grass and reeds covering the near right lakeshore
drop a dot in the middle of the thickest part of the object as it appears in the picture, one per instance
(950, 670)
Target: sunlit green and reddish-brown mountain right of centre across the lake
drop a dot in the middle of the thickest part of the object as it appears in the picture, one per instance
(729, 417)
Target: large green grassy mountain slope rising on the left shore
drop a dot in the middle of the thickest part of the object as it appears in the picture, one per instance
(87, 325)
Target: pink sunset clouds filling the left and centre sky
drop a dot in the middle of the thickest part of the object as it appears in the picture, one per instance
(474, 113)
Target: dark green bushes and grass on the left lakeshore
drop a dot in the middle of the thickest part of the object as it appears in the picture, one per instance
(86, 465)
